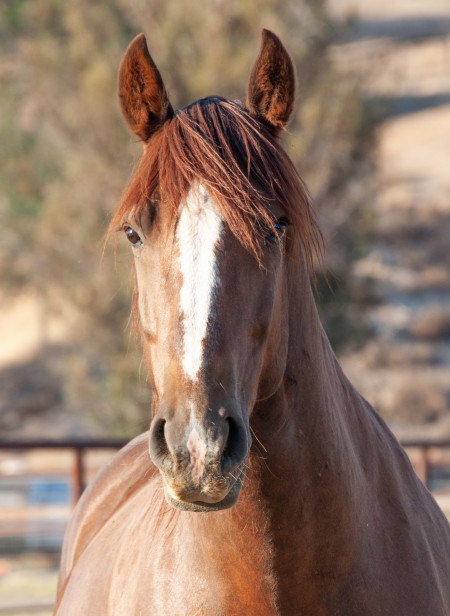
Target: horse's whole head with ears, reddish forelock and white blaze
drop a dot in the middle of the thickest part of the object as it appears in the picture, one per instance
(209, 215)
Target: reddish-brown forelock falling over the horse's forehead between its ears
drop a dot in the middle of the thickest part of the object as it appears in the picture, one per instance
(218, 143)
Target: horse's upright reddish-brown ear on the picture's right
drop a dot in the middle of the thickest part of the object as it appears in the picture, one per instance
(271, 88)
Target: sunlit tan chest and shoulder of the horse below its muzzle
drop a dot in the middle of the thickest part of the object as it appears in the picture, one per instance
(162, 562)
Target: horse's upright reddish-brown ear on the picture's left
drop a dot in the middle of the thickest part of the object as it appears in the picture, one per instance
(142, 95)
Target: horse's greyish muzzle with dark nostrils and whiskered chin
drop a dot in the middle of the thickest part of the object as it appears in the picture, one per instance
(202, 468)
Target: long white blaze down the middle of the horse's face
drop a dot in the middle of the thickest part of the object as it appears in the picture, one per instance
(198, 233)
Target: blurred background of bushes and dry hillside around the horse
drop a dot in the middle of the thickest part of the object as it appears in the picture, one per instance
(370, 135)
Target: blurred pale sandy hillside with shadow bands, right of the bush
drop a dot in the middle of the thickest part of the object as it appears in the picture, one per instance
(402, 48)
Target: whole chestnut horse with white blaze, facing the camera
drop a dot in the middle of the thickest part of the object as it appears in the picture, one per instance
(272, 487)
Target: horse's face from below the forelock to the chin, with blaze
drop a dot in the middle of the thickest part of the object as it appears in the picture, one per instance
(211, 317)
